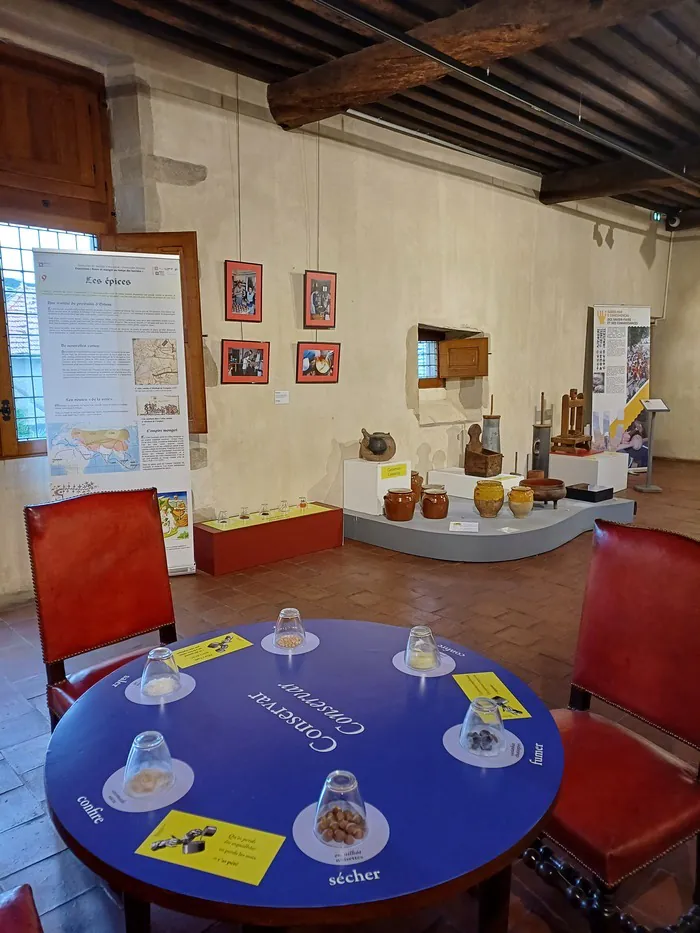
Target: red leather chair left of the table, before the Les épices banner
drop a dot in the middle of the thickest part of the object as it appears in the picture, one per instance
(100, 577)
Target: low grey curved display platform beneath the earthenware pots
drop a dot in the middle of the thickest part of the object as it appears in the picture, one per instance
(501, 538)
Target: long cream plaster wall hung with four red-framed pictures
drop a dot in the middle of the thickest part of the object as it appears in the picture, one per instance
(415, 232)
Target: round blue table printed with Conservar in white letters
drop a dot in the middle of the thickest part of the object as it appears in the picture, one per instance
(452, 826)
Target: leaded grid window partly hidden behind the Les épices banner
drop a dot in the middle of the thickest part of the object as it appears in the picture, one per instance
(21, 319)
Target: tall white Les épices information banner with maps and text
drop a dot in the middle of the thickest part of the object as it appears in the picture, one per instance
(113, 363)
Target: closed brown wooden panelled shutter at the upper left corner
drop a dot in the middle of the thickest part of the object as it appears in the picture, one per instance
(54, 143)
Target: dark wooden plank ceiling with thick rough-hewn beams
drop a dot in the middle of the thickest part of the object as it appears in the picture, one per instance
(625, 68)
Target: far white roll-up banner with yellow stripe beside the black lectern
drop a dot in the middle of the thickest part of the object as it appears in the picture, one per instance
(621, 357)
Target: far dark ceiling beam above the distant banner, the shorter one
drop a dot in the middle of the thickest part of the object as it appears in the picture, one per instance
(620, 177)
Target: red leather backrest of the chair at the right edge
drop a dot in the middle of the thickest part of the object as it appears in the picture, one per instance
(639, 640)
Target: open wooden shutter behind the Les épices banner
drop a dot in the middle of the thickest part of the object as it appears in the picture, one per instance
(183, 245)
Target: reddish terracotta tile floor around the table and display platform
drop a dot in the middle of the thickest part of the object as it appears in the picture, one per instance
(524, 614)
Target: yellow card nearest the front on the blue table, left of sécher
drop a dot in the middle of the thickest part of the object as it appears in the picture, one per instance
(214, 846)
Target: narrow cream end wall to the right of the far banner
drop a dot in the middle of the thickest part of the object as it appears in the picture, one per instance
(675, 361)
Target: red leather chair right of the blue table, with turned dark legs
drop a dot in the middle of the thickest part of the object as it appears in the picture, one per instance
(625, 802)
